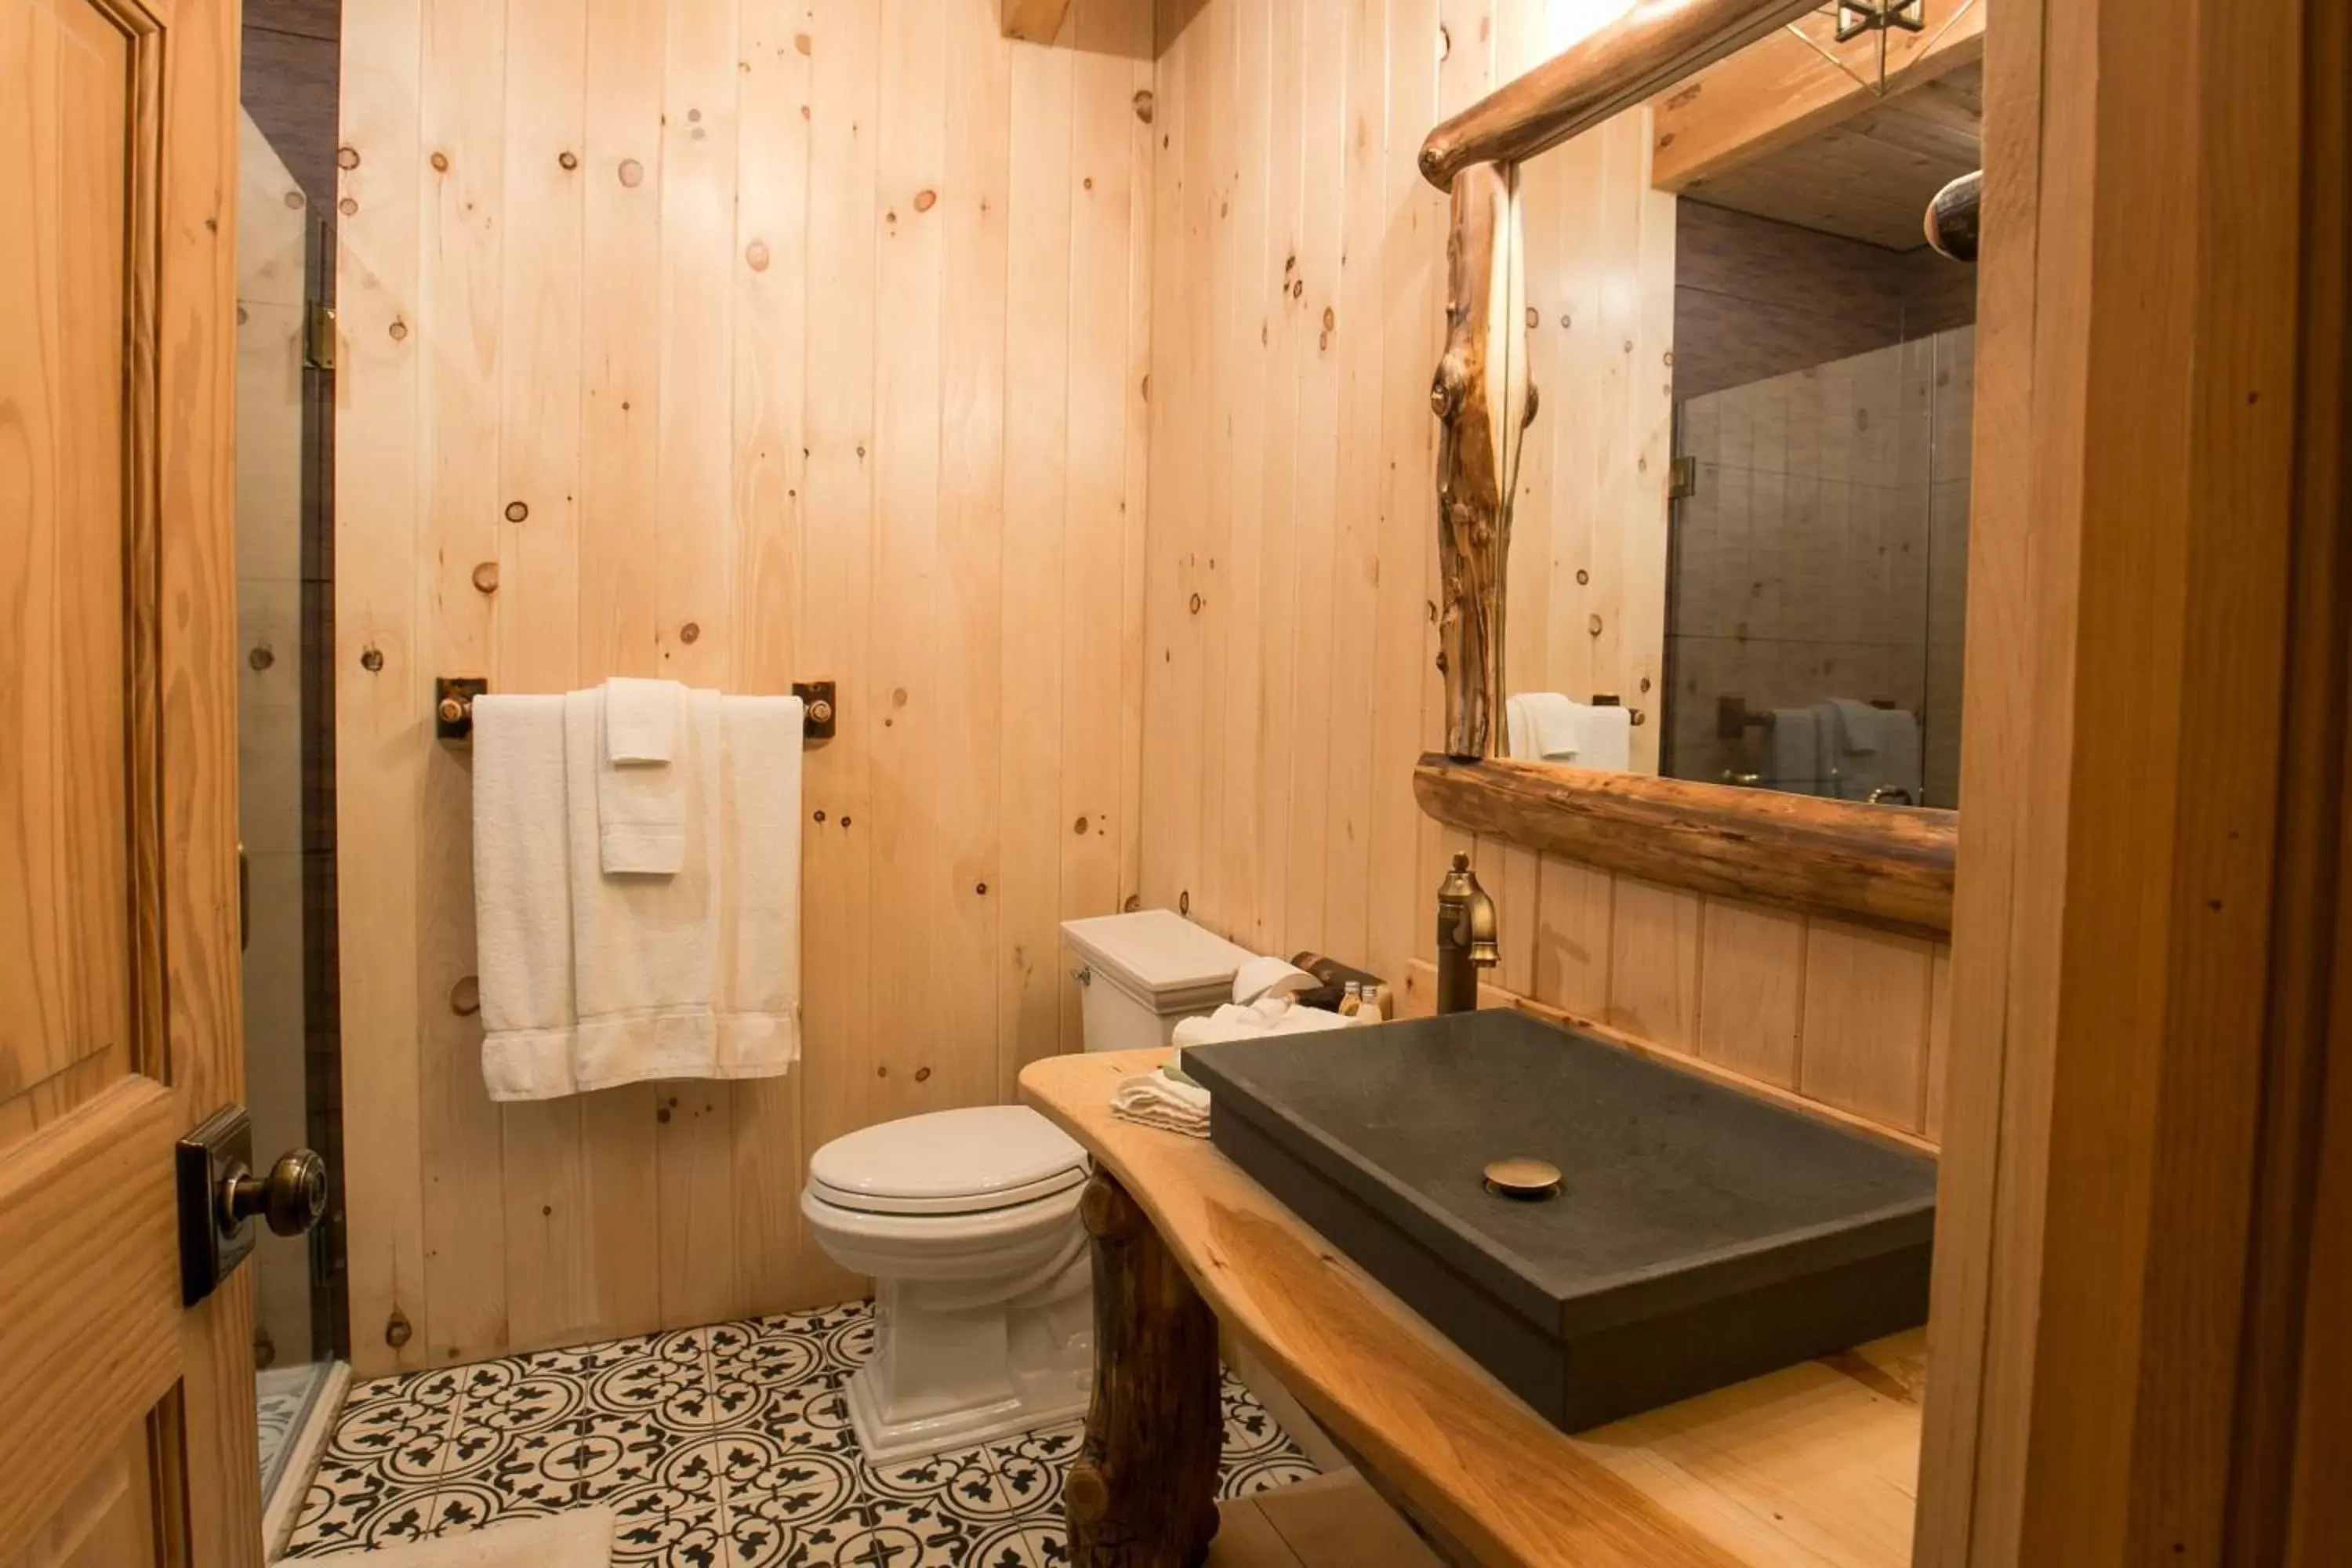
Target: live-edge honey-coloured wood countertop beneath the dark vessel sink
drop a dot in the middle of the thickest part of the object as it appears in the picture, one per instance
(1808, 1466)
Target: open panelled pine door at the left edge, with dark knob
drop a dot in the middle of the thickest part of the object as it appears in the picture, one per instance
(126, 1421)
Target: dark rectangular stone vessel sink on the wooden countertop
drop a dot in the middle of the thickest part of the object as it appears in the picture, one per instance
(1699, 1235)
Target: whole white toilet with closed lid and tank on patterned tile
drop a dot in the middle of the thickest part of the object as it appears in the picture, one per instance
(968, 1219)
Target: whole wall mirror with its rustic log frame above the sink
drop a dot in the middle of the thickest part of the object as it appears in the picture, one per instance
(1737, 509)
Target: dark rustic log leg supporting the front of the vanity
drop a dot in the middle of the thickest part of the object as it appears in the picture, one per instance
(1144, 1487)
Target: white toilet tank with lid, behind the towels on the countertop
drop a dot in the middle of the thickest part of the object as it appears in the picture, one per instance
(1144, 972)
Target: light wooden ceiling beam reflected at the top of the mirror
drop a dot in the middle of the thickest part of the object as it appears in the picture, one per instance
(1782, 91)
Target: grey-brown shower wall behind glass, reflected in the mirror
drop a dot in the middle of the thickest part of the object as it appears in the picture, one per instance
(1824, 551)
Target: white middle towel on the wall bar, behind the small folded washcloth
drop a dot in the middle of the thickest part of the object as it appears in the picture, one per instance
(643, 946)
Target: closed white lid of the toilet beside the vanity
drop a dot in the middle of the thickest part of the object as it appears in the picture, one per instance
(949, 1162)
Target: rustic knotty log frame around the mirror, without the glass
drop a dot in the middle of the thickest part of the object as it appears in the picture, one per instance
(1873, 864)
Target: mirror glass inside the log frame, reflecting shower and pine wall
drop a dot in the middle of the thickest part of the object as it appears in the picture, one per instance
(1793, 622)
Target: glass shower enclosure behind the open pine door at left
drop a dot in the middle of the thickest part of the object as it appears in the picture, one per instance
(286, 793)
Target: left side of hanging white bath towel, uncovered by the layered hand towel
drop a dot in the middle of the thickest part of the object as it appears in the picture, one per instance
(523, 897)
